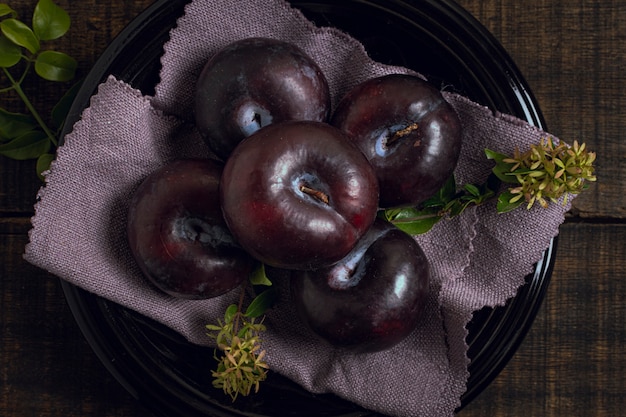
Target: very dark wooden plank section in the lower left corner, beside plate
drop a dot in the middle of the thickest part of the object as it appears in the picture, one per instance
(47, 369)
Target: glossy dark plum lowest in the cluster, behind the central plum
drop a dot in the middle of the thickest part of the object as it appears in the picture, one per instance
(371, 300)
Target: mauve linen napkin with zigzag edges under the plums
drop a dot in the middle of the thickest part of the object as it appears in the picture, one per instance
(478, 259)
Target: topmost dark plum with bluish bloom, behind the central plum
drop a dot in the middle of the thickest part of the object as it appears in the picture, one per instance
(252, 83)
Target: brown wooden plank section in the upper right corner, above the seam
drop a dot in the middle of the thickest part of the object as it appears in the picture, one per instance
(572, 55)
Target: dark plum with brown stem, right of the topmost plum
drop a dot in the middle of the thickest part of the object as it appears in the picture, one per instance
(408, 131)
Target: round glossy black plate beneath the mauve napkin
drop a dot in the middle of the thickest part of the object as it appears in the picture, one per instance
(435, 37)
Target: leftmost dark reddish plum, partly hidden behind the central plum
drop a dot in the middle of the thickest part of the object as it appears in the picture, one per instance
(178, 236)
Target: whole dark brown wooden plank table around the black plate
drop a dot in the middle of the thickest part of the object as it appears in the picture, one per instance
(573, 361)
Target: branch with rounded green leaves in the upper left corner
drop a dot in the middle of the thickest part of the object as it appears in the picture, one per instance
(28, 135)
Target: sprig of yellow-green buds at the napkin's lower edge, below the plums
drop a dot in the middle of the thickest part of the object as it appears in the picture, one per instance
(241, 366)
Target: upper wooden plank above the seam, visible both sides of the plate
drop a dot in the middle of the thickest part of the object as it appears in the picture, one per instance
(574, 69)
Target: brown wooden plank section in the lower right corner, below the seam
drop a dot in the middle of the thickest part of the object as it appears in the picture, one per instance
(572, 362)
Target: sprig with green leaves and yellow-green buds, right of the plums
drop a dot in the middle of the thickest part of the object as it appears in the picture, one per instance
(545, 173)
